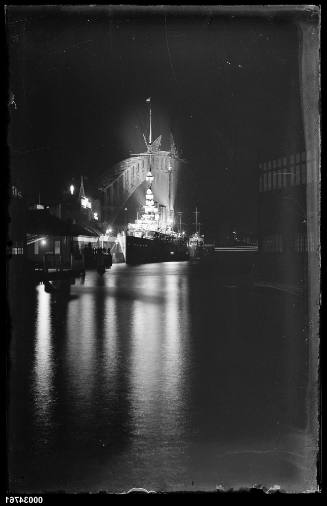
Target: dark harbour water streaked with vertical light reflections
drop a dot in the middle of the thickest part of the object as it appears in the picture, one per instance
(170, 376)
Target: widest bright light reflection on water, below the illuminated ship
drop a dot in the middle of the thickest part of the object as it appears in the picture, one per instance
(158, 354)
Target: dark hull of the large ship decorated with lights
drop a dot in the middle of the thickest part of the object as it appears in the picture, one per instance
(140, 250)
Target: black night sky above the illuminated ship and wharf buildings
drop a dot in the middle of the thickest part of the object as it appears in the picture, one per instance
(225, 84)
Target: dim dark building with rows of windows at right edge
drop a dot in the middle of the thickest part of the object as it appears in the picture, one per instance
(285, 239)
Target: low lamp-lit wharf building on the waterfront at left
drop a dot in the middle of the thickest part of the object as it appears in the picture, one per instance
(38, 237)
